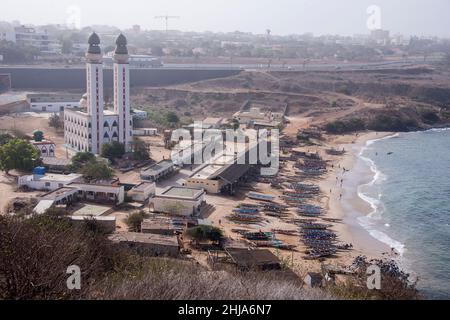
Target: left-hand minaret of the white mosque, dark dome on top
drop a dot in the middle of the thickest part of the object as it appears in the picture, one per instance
(94, 70)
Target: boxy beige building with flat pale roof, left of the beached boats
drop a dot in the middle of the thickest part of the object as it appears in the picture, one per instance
(179, 201)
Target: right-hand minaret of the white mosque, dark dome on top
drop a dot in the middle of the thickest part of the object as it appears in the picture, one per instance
(122, 91)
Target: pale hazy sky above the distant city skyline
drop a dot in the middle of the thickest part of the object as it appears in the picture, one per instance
(420, 17)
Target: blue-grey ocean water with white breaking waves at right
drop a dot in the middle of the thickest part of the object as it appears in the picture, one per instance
(410, 200)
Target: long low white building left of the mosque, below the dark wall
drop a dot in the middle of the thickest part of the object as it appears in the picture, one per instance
(45, 102)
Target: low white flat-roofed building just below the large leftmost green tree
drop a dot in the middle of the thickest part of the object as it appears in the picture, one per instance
(48, 182)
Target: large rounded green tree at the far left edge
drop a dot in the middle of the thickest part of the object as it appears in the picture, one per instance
(18, 154)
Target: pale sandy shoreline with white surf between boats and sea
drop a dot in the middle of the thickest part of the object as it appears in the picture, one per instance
(345, 202)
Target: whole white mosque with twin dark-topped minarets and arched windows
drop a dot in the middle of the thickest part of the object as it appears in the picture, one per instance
(88, 128)
